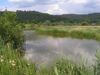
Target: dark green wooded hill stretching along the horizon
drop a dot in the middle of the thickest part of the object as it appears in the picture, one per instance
(44, 18)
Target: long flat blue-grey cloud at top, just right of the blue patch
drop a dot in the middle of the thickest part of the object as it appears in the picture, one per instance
(23, 4)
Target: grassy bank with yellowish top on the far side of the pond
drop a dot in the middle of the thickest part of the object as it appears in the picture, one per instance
(81, 32)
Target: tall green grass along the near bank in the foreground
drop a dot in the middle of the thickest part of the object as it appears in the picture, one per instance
(11, 63)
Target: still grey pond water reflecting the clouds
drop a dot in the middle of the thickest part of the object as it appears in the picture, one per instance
(46, 49)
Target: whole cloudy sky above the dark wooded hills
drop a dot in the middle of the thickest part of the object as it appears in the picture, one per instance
(53, 6)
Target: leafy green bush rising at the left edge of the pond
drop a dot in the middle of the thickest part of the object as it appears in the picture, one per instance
(10, 32)
